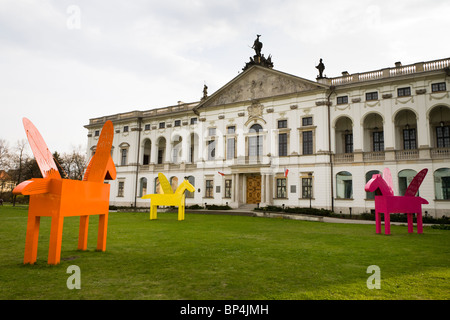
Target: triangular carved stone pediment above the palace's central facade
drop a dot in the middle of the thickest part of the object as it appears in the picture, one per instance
(258, 83)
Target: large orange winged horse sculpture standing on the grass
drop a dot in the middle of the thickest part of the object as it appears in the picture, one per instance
(52, 196)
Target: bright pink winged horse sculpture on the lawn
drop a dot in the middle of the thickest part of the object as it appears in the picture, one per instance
(387, 203)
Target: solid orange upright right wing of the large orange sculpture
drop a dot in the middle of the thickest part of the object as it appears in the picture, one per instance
(97, 170)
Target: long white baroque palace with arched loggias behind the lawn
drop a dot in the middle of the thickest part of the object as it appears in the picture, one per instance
(272, 138)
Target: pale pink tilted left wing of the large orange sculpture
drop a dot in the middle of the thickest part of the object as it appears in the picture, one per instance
(42, 154)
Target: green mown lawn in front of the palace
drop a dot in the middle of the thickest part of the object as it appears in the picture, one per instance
(222, 257)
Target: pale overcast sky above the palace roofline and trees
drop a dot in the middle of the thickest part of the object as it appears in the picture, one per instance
(65, 62)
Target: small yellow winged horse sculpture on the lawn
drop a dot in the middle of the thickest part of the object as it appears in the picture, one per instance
(169, 198)
